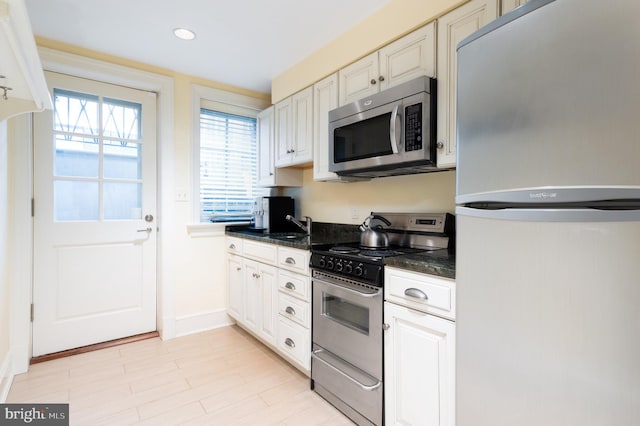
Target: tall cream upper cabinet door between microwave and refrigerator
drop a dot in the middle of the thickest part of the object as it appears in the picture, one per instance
(452, 28)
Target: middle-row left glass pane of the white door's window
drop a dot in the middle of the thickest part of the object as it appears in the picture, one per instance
(76, 156)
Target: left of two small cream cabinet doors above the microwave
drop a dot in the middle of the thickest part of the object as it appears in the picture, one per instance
(359, 79)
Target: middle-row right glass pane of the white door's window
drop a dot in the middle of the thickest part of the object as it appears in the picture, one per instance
(122, 160)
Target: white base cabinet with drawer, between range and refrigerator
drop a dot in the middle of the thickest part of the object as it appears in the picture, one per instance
(419, 349)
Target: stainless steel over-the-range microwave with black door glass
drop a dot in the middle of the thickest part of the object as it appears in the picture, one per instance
(386, 134)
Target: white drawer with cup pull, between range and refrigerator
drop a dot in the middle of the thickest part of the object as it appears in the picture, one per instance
(422, 292)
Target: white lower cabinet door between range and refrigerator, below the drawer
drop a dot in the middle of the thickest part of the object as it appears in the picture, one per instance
(419, 357)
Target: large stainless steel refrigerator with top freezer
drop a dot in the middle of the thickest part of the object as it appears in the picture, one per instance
(548, 217)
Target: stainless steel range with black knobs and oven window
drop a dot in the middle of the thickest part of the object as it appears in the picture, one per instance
(348, 282)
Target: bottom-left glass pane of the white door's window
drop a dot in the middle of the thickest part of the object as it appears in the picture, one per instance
(75, 200)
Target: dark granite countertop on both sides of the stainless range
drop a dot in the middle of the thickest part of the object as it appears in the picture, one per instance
(439, 263)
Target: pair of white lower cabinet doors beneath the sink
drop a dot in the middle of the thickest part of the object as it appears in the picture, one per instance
(260, 297)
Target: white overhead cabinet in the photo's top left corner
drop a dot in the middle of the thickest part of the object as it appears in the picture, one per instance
(22, 85)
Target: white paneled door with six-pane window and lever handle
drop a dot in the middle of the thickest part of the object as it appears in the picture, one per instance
(94, 215)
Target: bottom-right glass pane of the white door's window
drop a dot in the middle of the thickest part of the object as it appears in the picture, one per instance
(122, 201)
